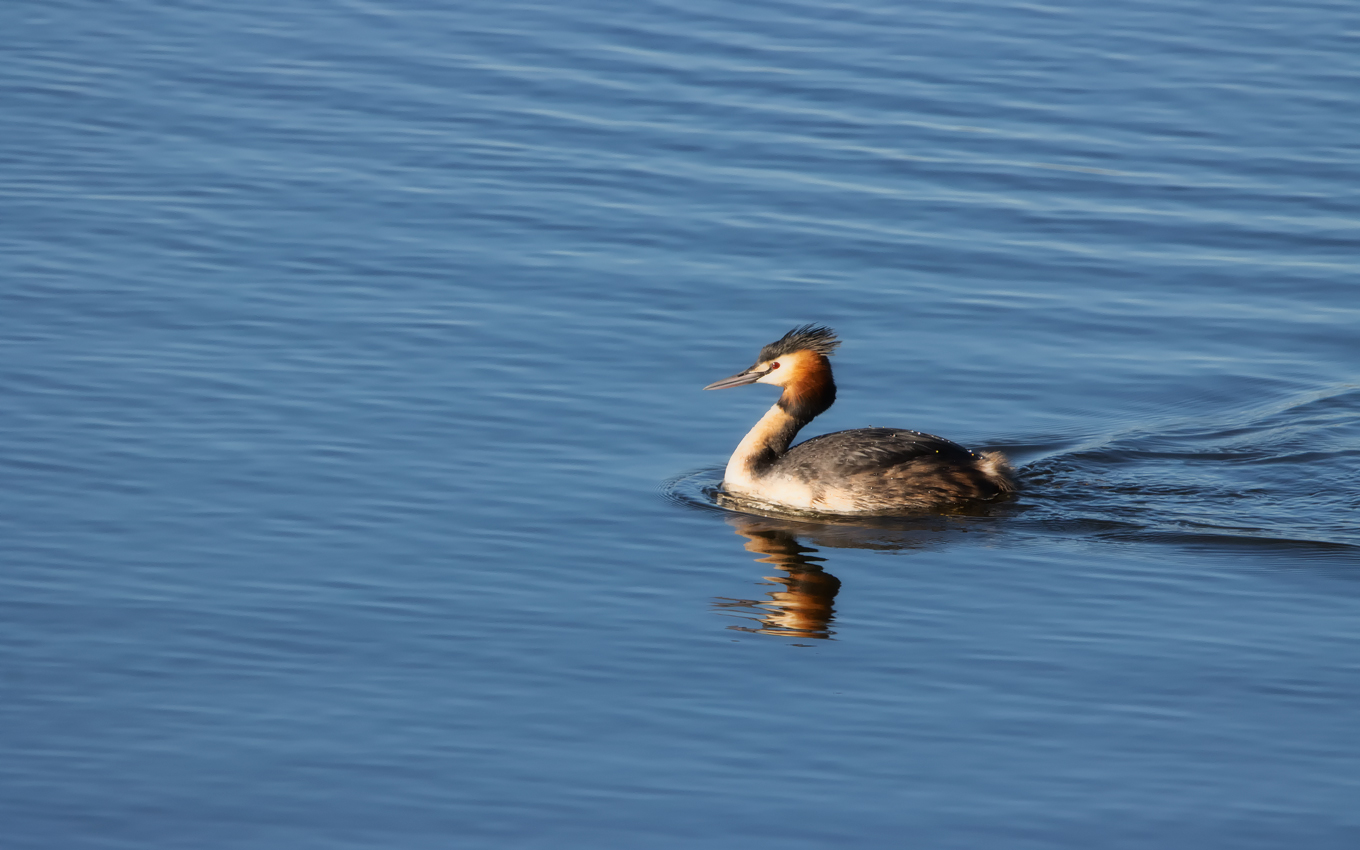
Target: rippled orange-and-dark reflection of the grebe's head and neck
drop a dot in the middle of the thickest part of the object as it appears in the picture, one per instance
(804, 607)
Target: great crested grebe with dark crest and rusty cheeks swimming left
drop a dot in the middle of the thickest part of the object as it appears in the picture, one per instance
(866, 471)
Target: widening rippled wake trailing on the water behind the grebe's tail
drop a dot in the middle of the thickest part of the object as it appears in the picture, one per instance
(1276, 475)
